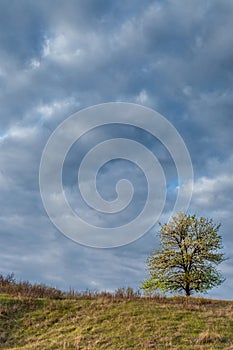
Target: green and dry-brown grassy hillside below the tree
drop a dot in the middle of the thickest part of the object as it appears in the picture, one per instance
(105, 322)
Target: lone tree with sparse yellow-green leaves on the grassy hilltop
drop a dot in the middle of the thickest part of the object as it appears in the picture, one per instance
(186, 262)
